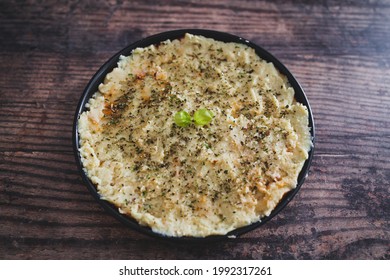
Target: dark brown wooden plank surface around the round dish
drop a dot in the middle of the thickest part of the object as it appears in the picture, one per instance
(338, 50)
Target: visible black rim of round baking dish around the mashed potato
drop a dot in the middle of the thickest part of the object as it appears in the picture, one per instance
(98, 78)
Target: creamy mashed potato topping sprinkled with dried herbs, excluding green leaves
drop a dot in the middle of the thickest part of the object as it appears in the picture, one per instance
(194, 180)
